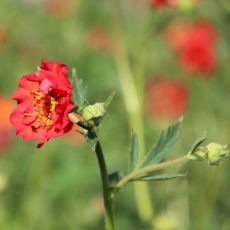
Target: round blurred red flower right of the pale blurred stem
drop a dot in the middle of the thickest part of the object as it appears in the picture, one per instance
(166, 98)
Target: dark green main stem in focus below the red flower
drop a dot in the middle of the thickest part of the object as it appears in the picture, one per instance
(105, 186)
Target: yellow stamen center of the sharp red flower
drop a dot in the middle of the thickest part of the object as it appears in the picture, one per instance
(44, 106)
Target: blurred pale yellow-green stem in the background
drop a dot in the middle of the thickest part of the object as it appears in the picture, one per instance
(133, 106)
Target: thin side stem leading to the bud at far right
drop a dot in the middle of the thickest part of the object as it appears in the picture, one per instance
(148, 169)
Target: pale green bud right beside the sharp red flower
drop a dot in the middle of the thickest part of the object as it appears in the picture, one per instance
(94, 114)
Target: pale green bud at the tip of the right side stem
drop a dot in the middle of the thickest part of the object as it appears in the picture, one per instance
(216, 153)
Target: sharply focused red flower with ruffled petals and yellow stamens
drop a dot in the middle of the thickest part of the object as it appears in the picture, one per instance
(43, 101)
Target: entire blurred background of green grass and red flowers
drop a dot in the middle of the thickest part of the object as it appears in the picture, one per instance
(172, 56)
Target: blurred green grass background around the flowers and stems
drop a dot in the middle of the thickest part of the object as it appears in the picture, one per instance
(58, 187)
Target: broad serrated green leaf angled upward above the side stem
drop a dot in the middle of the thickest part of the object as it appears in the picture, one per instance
(164, 145)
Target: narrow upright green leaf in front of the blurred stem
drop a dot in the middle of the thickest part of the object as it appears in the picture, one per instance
(134, 152)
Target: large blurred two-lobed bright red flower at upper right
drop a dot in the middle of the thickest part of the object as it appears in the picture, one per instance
(194, 41)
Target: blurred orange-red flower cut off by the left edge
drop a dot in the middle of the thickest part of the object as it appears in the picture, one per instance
(5, 127)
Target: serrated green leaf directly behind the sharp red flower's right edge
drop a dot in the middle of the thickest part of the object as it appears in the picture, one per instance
(79, 91)
